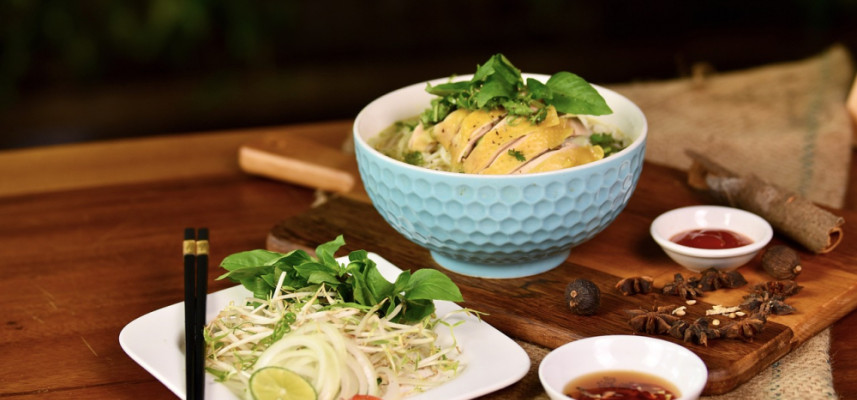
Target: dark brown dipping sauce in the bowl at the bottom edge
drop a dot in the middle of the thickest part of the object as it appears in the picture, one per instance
(625, 385)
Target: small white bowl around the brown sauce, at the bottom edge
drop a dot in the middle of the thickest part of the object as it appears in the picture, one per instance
(666, 360)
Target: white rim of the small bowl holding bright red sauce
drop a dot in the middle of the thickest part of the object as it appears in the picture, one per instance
(767, 234)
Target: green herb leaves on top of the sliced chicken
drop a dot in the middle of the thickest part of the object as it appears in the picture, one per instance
(499, 84)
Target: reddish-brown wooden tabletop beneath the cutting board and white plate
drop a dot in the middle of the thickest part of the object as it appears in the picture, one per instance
(90, 240)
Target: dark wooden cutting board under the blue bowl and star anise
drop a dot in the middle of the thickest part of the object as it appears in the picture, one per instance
(533, 309)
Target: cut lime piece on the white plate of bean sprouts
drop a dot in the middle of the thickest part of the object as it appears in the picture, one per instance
(277, 383)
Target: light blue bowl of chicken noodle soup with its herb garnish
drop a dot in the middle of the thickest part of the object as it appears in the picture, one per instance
(499, 174)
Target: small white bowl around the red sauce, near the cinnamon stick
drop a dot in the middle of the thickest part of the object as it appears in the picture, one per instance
(680, 220)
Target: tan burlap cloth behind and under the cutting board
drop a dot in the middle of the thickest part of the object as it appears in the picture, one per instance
(786, 123)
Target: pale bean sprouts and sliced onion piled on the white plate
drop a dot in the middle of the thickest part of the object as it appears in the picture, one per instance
(340, 349)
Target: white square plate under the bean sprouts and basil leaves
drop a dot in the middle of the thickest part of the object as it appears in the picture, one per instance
(492, 360)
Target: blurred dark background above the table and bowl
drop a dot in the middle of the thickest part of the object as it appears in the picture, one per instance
(100, 69)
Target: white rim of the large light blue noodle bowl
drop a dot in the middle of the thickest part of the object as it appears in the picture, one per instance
(639, 141)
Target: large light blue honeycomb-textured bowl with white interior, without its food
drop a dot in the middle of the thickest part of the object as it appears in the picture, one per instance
(497, 226)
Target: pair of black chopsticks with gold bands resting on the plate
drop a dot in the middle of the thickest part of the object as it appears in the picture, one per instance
(195, 251)
